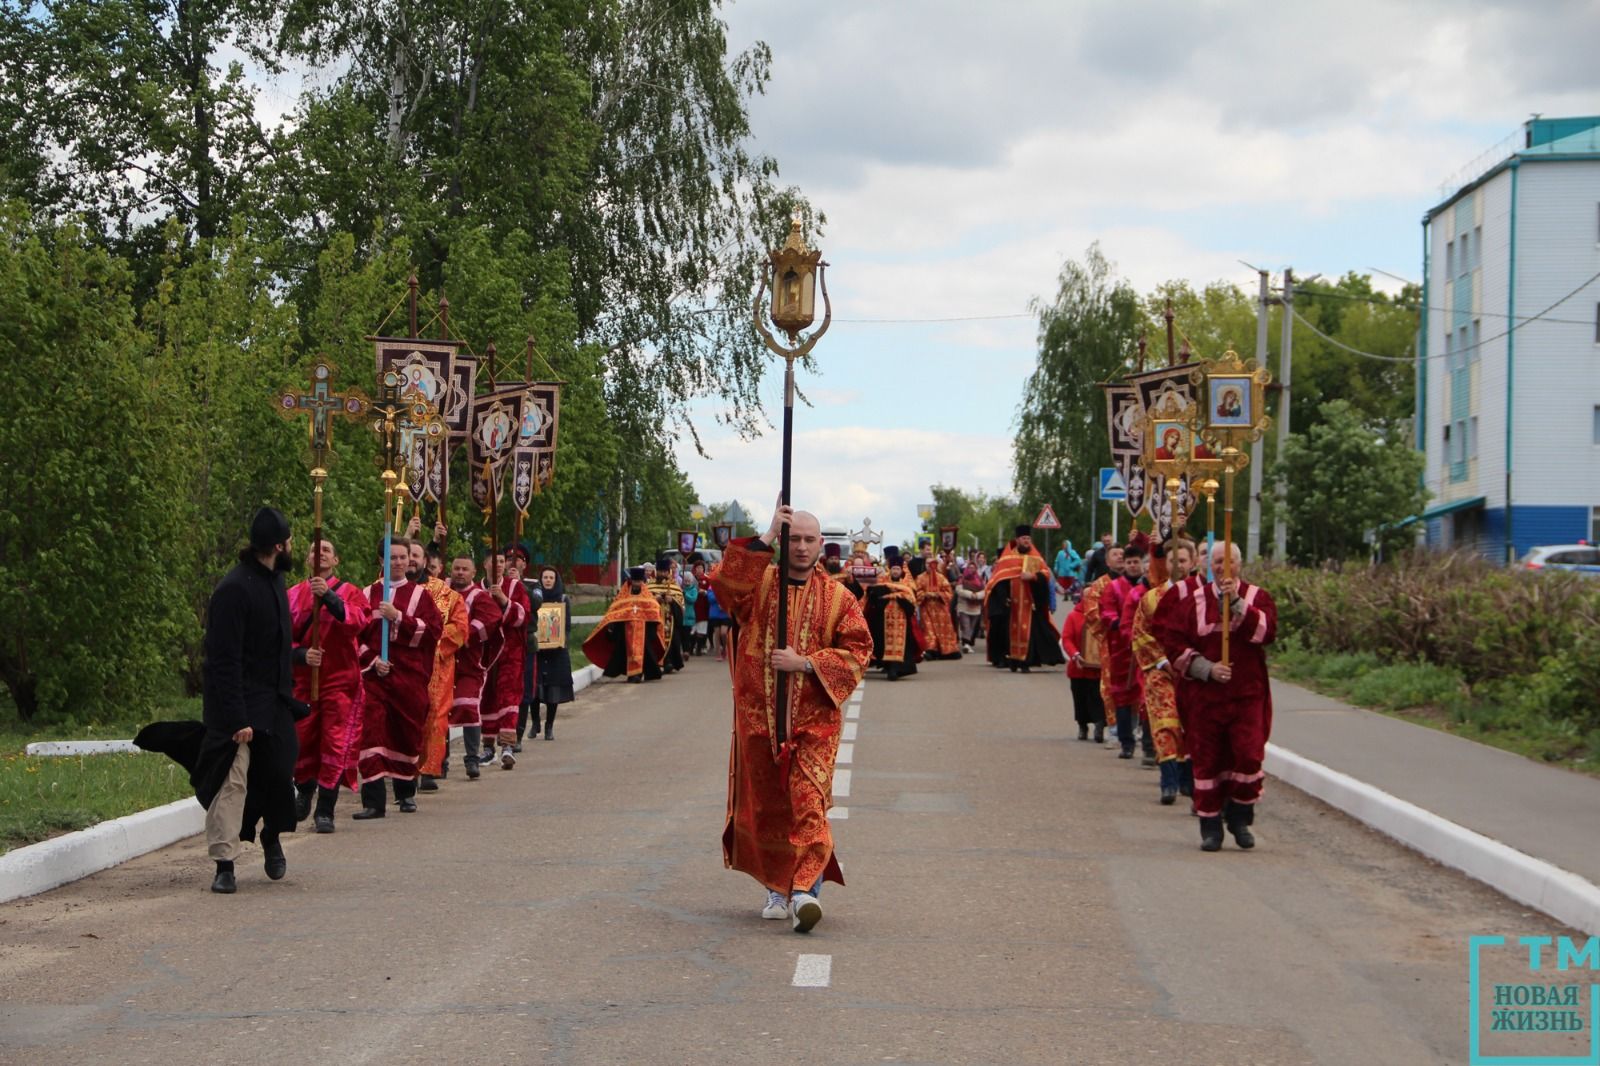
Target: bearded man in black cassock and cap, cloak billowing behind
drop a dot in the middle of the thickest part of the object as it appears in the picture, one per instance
(241, 756)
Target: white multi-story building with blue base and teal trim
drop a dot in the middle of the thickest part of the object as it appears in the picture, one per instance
(1510, 356)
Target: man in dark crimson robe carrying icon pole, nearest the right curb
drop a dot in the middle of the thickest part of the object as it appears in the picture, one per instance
(1228, 708)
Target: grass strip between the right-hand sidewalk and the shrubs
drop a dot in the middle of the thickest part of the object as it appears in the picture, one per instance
(1439, 699)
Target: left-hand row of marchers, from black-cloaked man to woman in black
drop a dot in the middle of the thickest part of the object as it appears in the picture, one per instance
(329, 686)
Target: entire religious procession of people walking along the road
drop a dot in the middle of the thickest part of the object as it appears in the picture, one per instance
(332, 687)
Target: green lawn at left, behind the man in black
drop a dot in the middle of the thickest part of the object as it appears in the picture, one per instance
(49, 796)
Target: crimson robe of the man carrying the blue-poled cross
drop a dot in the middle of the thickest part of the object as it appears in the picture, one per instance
(396, 711)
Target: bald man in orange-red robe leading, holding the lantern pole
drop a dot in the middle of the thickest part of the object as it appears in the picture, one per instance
(780, 787)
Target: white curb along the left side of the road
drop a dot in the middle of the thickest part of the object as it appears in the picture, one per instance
(47, 865)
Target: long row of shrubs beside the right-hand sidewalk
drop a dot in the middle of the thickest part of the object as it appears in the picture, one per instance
(1498, 647)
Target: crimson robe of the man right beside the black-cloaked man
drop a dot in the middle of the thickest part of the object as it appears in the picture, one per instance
(334, 724)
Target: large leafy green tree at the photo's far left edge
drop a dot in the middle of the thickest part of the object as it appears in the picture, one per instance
(92, 603)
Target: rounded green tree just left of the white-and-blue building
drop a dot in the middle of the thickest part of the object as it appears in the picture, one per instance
(1346, 483)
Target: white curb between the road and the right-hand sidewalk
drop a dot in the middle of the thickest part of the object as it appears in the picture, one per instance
(1524, 878)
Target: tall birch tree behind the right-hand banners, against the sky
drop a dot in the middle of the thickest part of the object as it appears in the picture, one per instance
(1086, 337)
